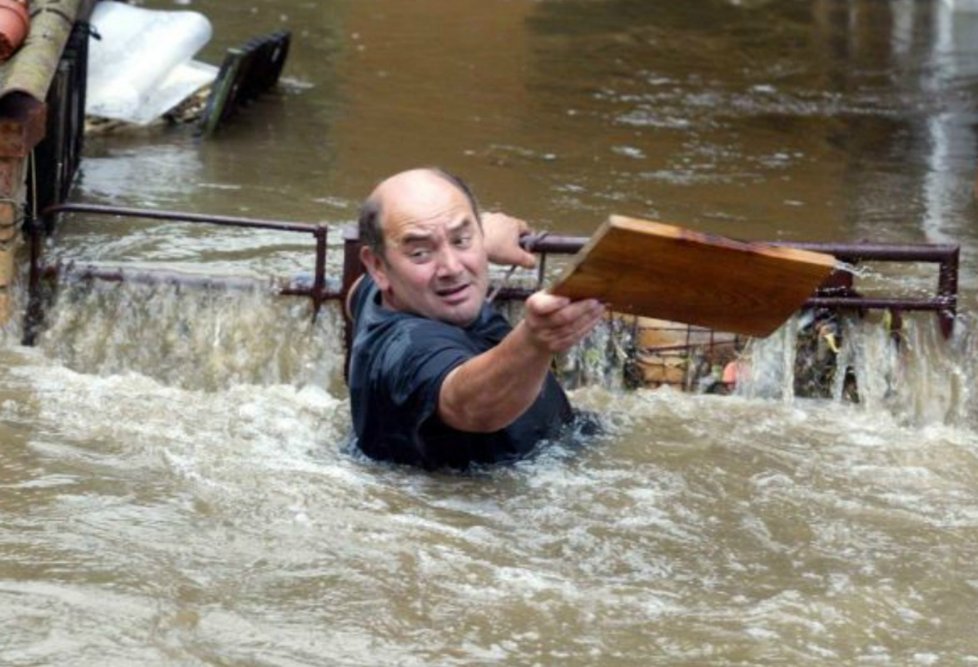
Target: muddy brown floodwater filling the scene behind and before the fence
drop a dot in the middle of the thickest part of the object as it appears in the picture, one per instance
(173, 487)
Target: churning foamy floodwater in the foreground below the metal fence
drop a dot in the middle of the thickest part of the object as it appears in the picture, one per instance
(763, 526)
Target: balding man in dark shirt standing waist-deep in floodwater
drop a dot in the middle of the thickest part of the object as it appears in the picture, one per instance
(437, 378)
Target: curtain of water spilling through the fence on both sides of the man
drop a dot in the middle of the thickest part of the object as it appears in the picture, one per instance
(213, 339)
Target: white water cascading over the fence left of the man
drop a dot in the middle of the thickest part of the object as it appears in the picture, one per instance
(207, 339)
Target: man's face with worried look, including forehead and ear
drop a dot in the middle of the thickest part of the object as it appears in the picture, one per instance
(435, 262)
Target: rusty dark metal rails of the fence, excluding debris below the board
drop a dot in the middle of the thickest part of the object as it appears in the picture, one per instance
(836, 293)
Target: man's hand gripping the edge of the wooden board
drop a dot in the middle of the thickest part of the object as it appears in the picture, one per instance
(555, 323)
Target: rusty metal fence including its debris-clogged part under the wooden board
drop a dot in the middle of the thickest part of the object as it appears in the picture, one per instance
(664, 348)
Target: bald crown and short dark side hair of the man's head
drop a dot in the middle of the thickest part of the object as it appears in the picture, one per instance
(416, 188)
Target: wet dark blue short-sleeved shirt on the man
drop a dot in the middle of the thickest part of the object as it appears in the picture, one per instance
(397, 366)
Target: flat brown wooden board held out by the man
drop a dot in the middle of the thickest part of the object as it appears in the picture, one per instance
(657, 270)
